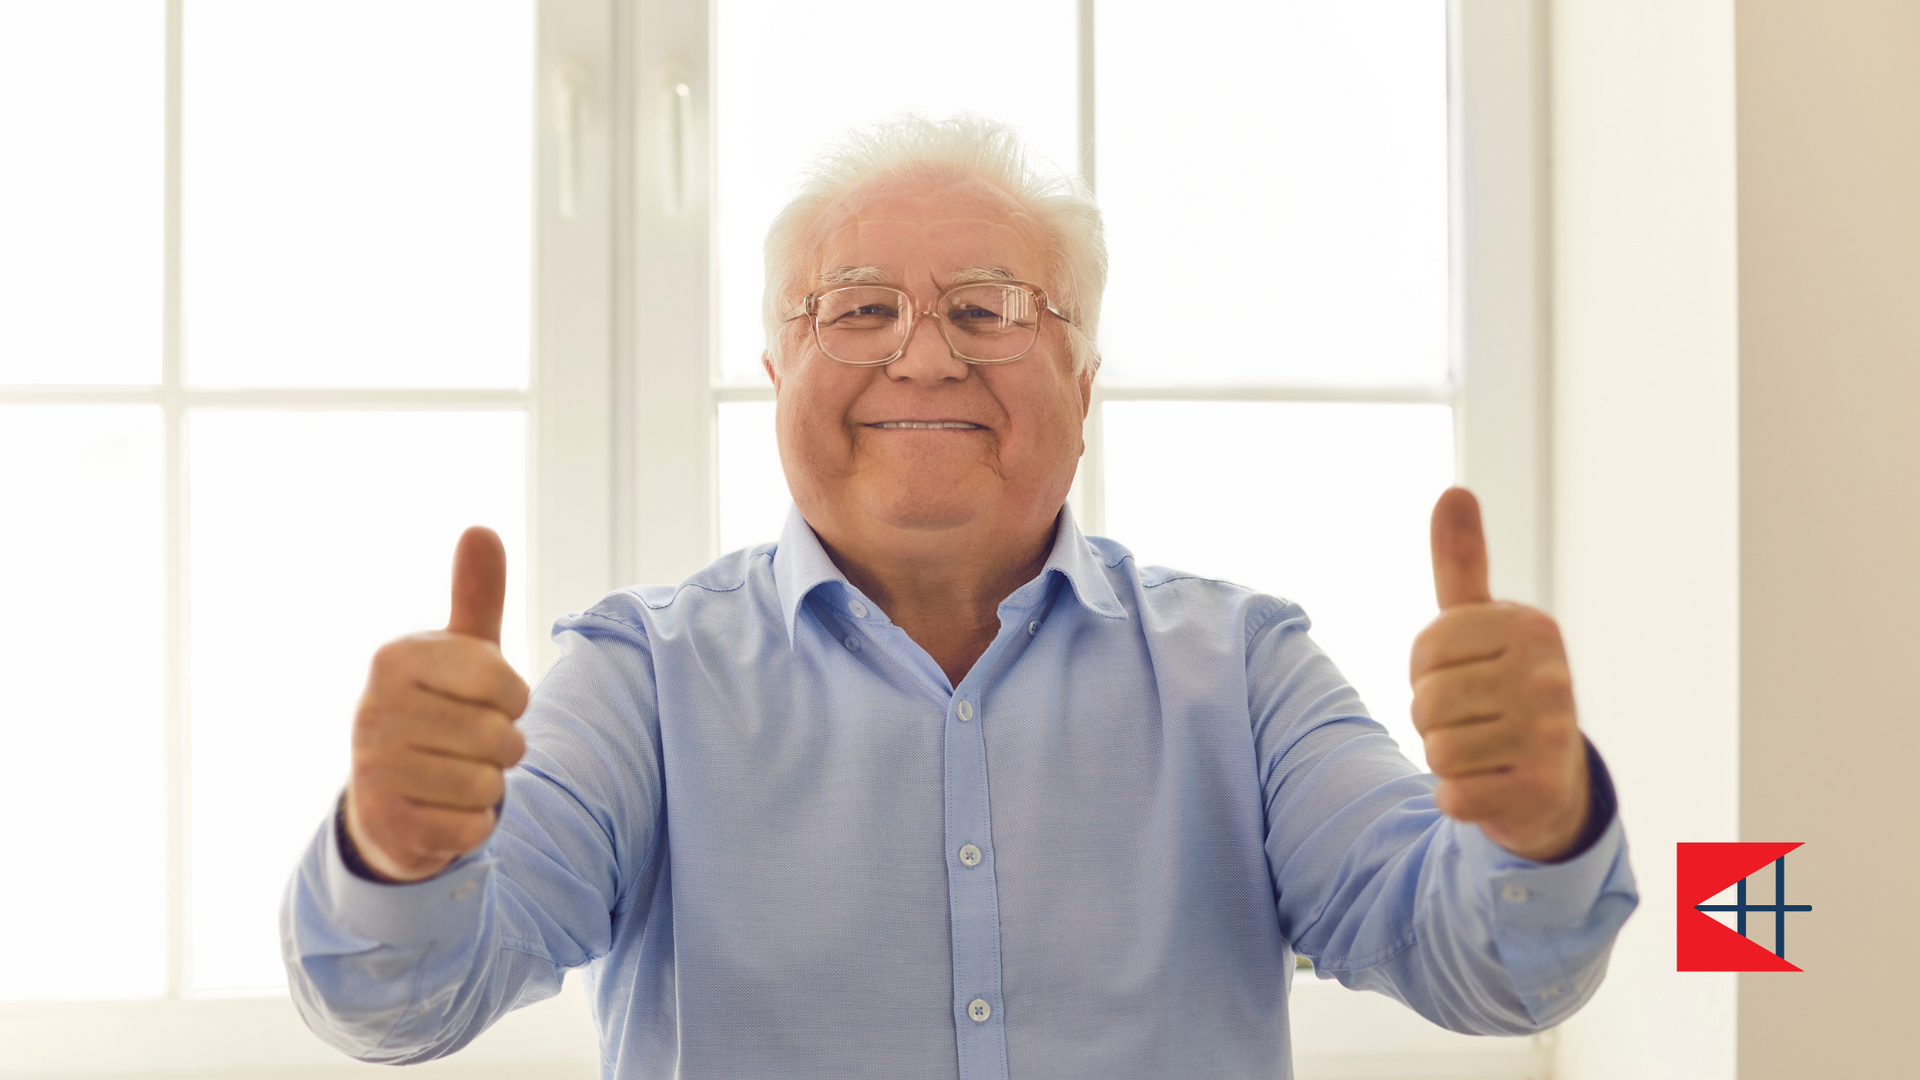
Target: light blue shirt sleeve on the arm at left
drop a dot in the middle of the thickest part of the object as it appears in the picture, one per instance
(402, 973)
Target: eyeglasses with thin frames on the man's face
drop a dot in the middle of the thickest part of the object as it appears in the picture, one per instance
(869, 326)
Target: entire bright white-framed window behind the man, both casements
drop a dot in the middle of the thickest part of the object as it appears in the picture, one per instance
(325, 283)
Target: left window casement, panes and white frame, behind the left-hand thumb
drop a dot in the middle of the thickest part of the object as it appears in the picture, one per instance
(277, 318)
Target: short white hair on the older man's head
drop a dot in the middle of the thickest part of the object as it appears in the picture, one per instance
(909, 147)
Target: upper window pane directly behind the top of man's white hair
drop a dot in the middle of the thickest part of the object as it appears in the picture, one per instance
(853, 62)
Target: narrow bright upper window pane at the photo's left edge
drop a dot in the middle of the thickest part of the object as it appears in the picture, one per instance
(82, 191)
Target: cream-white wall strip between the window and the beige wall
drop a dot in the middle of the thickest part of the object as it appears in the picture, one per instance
(1646, 481)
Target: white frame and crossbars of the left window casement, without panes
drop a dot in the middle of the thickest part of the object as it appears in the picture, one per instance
(571, 560)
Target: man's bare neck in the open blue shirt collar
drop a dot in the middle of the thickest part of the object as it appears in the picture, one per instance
(946, 597)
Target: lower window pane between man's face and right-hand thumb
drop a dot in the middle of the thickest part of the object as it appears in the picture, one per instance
(1324, 504)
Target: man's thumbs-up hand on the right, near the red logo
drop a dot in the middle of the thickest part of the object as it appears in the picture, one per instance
(1493, 700)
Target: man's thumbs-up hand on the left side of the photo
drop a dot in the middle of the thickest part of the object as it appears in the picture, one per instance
(435, 729)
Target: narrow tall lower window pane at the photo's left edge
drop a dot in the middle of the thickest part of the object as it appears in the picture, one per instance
(82, 656)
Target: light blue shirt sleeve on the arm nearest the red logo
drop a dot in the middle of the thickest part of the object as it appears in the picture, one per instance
(1385, 893)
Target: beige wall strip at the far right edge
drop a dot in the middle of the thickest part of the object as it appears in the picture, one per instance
(1831, 522)
